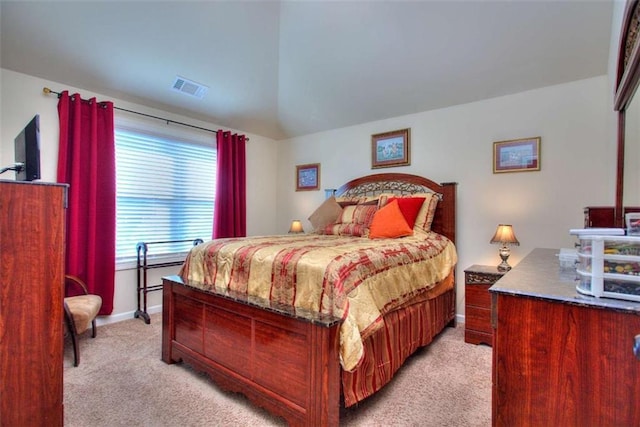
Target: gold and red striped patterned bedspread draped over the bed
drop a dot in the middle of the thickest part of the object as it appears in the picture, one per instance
(353, 278)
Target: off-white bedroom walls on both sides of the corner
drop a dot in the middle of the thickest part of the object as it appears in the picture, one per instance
(574, 121)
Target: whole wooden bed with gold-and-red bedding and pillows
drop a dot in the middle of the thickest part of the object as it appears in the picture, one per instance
(297, 323)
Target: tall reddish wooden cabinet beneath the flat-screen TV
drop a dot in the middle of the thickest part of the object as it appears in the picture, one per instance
(32, 239)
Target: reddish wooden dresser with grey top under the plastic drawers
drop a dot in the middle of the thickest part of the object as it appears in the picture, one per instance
(560, 358)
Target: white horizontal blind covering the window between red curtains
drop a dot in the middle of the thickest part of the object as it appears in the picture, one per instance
(165, 191)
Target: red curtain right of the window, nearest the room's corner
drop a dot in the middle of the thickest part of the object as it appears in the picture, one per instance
(230, 213)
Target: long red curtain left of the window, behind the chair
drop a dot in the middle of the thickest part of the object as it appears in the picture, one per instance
(86, 161)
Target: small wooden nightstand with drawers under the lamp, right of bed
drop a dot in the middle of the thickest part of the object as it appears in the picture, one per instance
(477, 281)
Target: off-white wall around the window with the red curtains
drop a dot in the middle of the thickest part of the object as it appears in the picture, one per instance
(22, 98)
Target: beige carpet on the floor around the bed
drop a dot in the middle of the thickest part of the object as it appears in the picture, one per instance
(121, 381)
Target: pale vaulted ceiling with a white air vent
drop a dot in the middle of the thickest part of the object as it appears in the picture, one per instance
(288, 68)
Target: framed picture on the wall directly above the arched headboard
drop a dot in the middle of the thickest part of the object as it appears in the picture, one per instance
(390, 149)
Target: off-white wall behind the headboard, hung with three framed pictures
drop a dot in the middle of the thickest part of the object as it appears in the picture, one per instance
(455, 144)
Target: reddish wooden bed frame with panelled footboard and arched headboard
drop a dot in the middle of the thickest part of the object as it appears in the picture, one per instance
(281, 360)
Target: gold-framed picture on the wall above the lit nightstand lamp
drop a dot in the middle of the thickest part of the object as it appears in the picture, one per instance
(516, 155)
